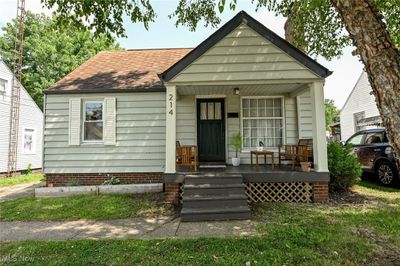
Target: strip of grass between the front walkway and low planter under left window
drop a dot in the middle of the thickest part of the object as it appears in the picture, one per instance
(91, 207)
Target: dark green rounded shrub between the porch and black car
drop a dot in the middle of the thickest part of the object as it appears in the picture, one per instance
(344, 168)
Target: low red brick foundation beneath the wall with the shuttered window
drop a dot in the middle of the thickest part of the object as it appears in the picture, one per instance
(57, 180)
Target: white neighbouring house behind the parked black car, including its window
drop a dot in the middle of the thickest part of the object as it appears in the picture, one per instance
(359, 111)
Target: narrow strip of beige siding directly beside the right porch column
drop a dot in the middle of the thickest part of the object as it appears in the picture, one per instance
(304, 107)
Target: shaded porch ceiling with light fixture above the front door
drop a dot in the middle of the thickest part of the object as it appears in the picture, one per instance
(247, 90)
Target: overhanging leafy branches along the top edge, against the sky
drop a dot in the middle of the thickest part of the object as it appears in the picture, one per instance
(318, 27)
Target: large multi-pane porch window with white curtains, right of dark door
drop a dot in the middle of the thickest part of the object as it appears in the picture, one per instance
(262, 120)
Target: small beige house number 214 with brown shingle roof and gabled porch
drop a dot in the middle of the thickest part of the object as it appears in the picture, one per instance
(121, 112)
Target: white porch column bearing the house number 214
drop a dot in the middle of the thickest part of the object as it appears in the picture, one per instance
(170, 131)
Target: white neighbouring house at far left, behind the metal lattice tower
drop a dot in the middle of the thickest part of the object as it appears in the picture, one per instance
(30, 125)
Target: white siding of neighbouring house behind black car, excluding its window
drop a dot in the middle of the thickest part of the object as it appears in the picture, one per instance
(359, 100)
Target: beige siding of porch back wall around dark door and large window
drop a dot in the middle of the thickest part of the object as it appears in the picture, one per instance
(186, 132)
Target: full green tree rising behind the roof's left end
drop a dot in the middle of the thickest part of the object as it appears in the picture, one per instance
(50, 52)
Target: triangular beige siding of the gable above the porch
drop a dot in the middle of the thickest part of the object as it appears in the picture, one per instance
(246, 56)
